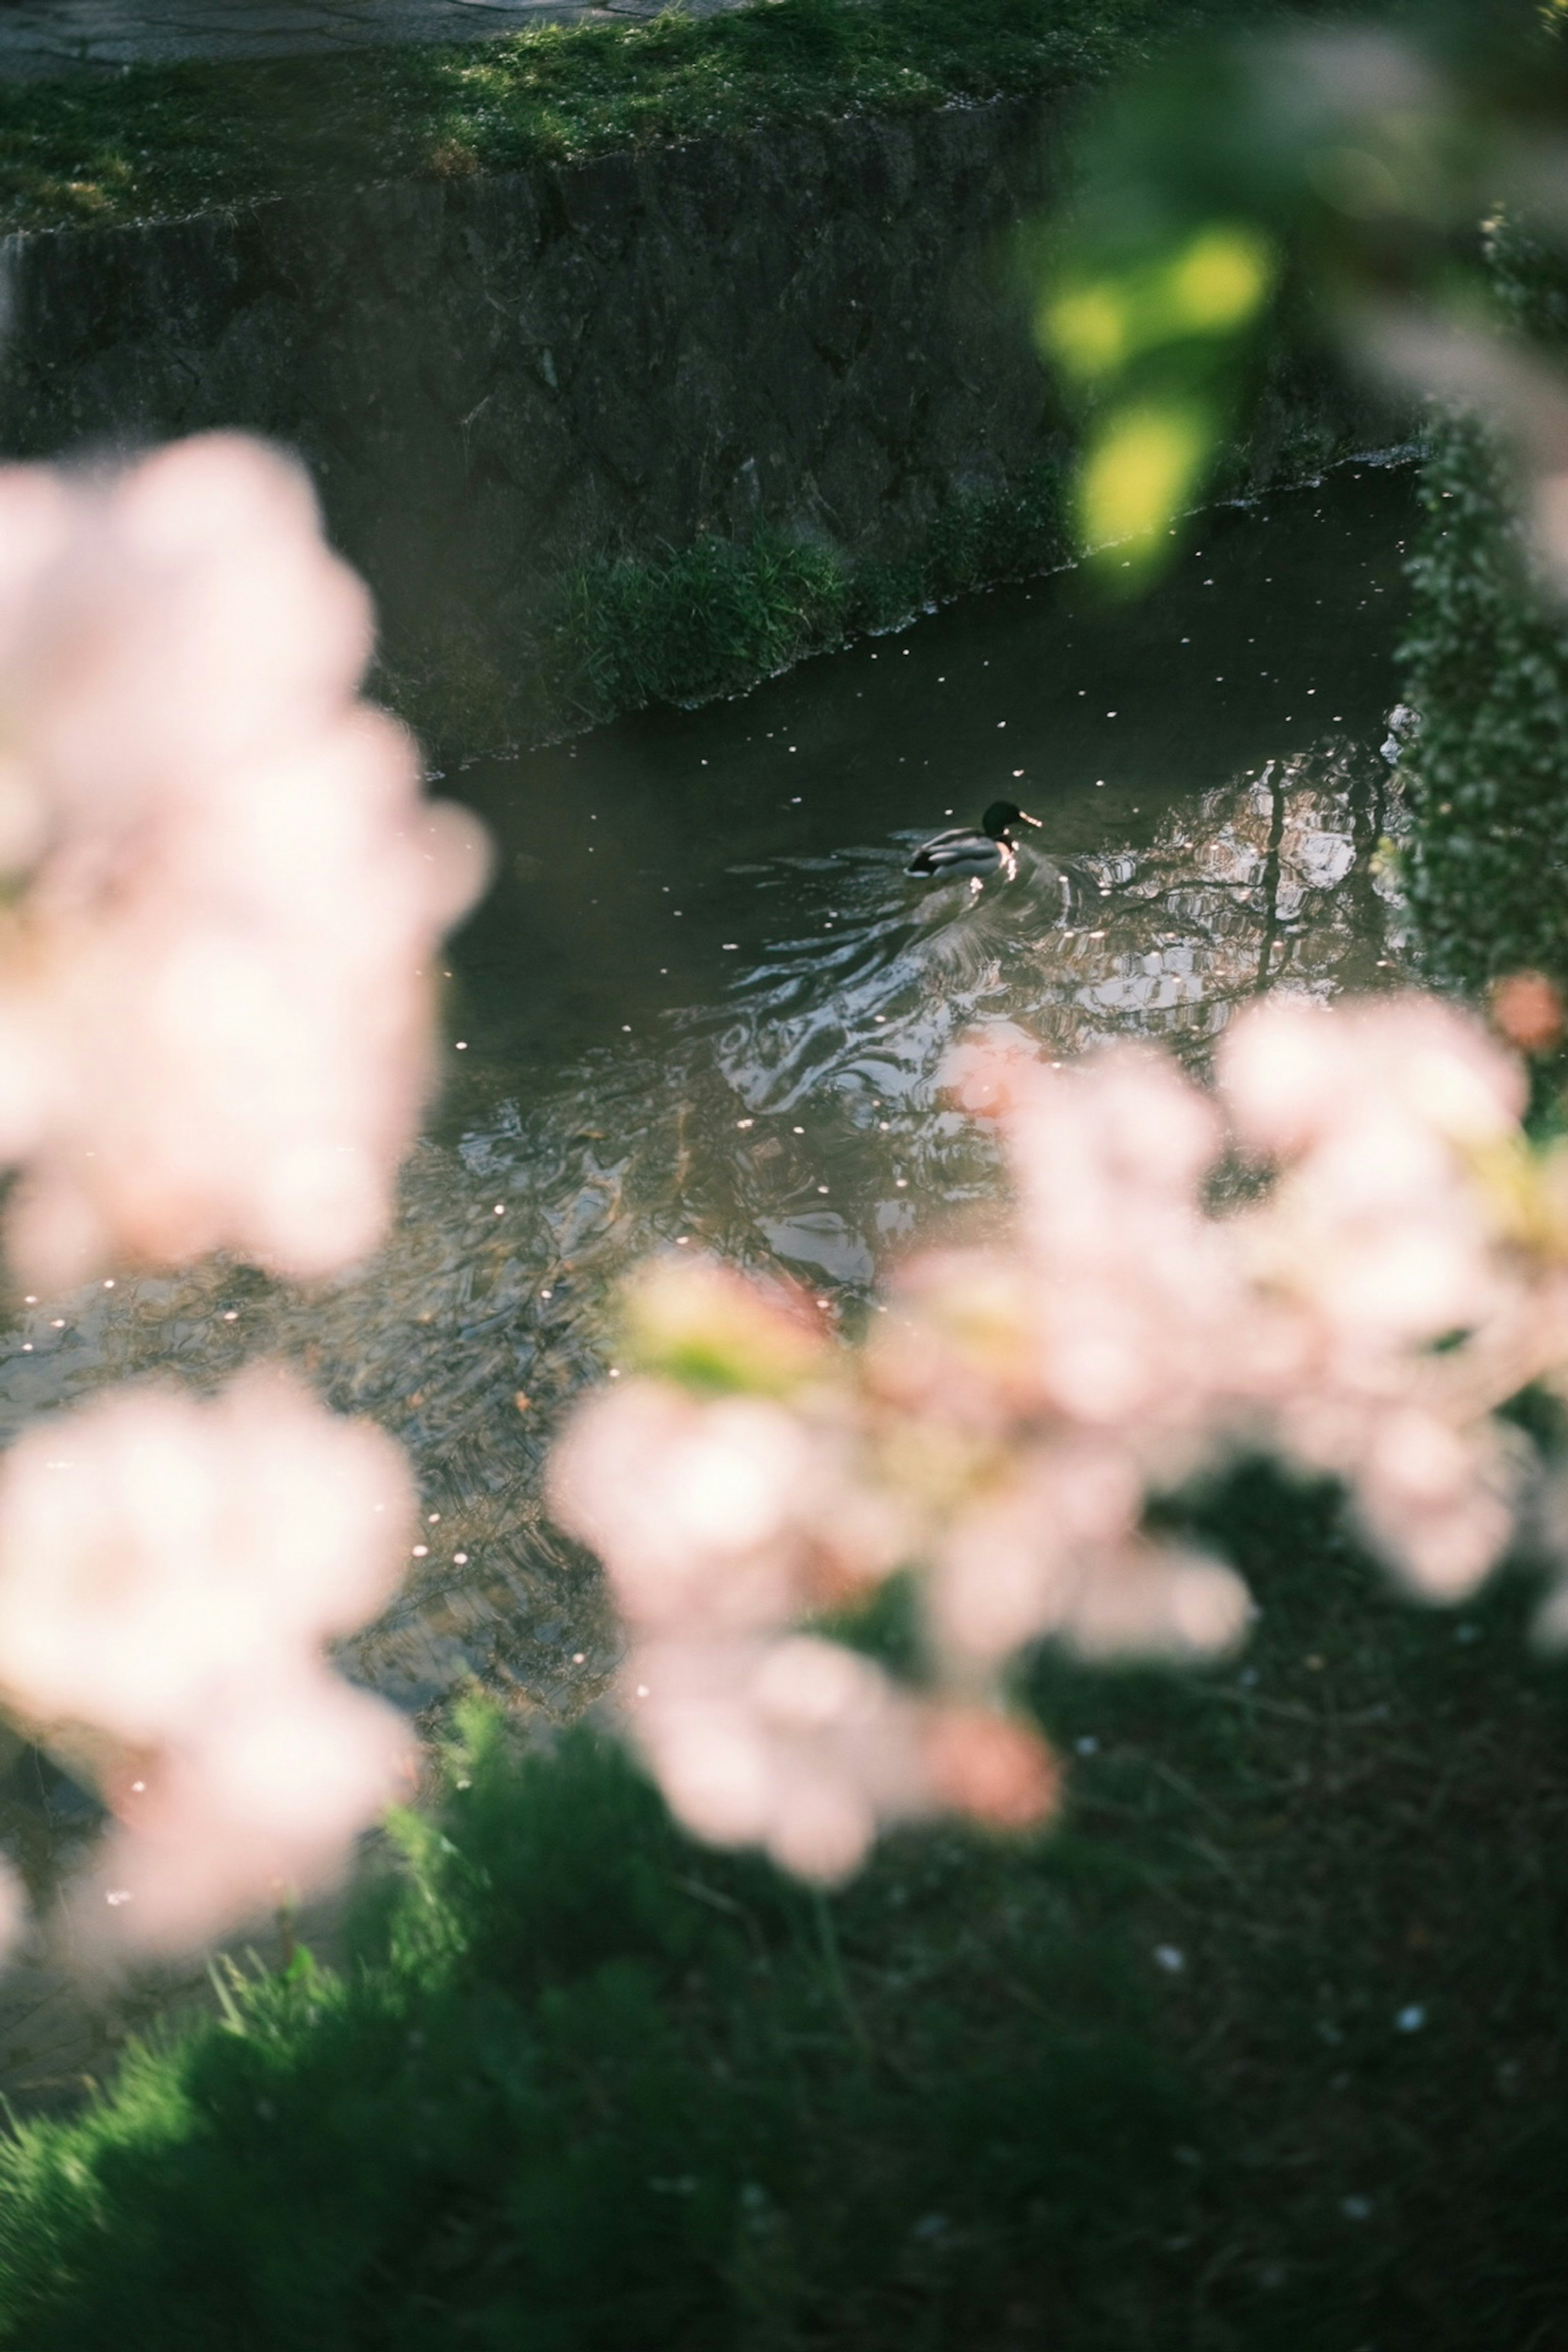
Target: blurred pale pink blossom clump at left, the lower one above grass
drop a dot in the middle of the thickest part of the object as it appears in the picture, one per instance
(168, 1577)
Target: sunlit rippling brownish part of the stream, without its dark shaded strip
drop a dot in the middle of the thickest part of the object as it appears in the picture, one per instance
(695, 1132)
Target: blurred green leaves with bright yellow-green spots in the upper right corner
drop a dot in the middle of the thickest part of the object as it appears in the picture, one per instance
(1325, 182)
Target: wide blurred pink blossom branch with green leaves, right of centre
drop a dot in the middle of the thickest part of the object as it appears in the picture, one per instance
(1343, 1255)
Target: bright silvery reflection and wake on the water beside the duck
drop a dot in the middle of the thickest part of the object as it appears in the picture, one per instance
(1259, 881)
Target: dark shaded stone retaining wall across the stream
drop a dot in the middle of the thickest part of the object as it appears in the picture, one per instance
(504, 380)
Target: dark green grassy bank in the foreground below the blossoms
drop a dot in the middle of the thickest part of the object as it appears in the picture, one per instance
(589, 2087)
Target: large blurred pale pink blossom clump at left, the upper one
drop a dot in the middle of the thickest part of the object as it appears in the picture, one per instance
(215, 982)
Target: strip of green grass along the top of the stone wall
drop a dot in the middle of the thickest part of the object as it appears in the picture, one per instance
(170, 140)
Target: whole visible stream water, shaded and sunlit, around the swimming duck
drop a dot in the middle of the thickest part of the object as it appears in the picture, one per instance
(706, 1005)
